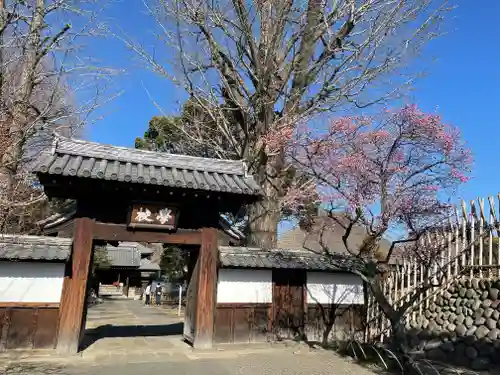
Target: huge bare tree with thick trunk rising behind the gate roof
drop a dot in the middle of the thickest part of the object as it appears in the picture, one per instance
(255, 67)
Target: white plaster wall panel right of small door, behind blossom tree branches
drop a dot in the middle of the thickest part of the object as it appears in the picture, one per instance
(339, 288)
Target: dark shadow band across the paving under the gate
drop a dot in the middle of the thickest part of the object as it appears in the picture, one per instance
(108, 330)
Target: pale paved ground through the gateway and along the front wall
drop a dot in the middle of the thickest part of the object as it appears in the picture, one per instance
(126, 338)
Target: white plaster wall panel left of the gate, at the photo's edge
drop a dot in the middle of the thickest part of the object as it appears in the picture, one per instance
(31, 282)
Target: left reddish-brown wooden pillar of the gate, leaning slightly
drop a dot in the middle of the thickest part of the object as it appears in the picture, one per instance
(72, 308)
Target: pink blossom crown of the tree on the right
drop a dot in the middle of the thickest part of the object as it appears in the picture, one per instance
(393, 166)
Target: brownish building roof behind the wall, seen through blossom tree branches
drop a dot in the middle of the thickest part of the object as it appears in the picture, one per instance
(325, 233)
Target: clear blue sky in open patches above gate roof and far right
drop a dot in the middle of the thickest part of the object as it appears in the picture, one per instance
(463, 83)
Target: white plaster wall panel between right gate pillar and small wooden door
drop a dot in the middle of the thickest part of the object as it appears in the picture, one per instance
(245, 286)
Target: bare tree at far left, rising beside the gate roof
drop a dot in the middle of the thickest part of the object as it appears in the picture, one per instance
(43, 69)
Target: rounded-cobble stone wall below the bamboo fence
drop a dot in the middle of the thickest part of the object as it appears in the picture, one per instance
(462, 326)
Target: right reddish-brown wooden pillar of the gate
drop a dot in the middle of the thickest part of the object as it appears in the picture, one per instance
(207, 287)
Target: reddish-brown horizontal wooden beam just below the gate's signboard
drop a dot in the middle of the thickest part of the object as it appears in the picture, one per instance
(120, 232)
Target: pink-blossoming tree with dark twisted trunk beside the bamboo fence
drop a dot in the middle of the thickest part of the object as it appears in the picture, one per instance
(389, 173)
